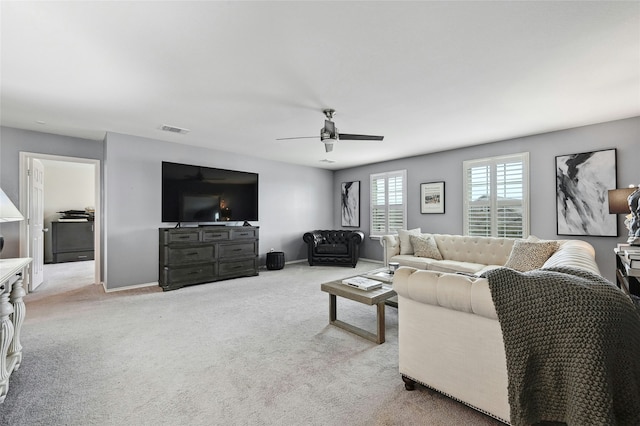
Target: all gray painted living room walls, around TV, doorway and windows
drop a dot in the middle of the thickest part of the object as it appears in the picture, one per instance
(296, 199)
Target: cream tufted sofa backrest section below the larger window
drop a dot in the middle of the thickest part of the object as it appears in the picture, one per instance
(483, 250)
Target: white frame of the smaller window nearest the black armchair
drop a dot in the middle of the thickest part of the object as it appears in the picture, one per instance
(386, 207)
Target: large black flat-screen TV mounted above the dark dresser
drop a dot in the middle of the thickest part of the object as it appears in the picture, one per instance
(203, 194)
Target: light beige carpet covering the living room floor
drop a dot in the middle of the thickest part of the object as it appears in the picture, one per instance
(249, 351)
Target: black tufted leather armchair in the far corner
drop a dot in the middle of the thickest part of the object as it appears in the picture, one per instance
(333, 247)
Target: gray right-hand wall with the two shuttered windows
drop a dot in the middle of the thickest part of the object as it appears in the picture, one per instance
(624, 135)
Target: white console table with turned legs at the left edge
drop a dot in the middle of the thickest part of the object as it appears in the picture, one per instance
(12, 311)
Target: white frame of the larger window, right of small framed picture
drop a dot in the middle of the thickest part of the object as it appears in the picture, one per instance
(494, 203)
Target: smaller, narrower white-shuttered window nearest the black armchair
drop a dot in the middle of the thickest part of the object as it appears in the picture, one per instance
(388, 202)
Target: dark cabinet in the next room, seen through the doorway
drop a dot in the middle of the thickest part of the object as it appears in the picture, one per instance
(72, 241)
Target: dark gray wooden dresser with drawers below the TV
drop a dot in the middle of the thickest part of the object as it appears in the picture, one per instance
(206, 254)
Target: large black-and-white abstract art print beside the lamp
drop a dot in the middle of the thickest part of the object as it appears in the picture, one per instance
(582, 182)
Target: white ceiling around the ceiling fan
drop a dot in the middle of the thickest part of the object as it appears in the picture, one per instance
(429, 76)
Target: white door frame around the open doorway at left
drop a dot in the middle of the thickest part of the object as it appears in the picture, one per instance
(24, 202)
